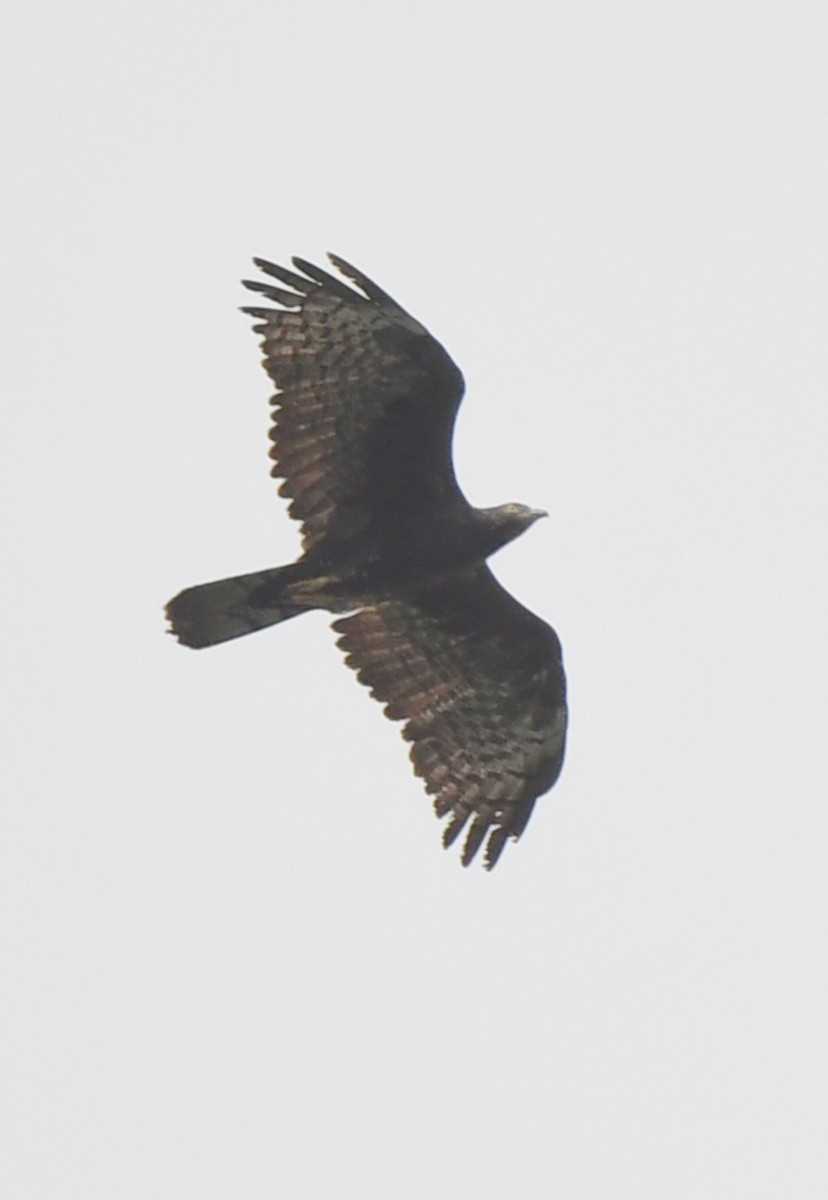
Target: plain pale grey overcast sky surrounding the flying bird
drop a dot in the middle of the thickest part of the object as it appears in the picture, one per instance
(236, 959)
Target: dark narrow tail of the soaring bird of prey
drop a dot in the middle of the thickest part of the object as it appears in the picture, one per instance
(215, 613)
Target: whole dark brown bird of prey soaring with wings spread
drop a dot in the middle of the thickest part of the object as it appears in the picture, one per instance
(363, 425)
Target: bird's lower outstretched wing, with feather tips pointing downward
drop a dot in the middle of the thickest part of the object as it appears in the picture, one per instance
(479, 682)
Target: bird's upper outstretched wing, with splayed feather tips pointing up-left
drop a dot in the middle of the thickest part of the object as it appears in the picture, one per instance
(365, 412)
